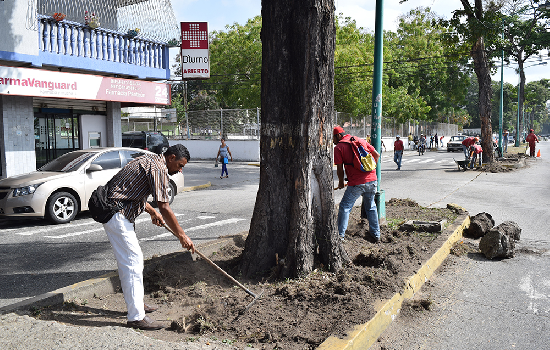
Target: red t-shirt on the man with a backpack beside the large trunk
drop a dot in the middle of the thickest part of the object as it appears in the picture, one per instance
(343, 154)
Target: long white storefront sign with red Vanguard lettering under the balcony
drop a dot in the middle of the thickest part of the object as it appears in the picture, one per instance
(43, 83)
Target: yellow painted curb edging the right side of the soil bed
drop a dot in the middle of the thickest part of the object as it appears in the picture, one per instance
(363, 336)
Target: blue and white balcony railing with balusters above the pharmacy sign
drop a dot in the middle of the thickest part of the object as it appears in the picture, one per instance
(74, 39)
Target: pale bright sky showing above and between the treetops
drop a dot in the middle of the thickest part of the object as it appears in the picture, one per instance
(220, 13)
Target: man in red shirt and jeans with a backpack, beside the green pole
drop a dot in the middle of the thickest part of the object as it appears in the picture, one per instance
(360, 183)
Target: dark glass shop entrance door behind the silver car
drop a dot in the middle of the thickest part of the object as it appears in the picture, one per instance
(55, 134)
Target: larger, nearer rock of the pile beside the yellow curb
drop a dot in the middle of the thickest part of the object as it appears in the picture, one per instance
(500, 241)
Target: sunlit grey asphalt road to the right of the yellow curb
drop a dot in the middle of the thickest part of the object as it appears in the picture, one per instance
(482, 304)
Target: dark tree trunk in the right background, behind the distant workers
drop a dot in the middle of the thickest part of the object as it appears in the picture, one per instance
(483, 72)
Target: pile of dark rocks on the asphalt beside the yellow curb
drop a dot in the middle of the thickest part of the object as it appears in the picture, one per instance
(496, 241)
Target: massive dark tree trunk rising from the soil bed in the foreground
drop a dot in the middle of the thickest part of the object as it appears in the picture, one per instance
(294, 217)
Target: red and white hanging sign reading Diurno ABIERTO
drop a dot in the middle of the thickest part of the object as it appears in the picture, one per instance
(195, 55)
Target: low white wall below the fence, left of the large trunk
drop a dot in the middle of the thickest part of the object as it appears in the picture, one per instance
(248, 151)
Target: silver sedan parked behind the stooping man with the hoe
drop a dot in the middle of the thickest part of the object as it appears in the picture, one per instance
(61, 189)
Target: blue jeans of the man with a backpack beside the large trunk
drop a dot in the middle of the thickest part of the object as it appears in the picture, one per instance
(368, 191)
